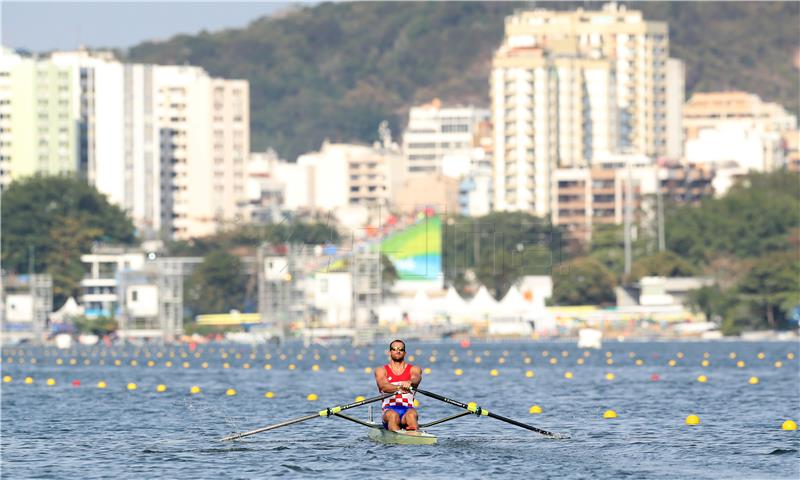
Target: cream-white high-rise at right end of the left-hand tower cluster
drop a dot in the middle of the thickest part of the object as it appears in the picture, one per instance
(205, 140)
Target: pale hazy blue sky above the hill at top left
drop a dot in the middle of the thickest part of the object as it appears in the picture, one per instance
(41, 26)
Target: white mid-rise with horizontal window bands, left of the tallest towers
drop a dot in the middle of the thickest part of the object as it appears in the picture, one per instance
(441, 138)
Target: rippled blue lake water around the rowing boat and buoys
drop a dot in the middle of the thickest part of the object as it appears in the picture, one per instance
(68, 431)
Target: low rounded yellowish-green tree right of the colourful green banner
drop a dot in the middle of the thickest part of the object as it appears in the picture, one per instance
(583, 281)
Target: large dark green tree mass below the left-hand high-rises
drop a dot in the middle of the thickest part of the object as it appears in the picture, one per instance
(52, 220)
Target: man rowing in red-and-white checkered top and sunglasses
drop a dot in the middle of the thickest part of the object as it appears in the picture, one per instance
(401, 378)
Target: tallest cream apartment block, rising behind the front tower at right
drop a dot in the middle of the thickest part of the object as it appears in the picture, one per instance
(637, 49)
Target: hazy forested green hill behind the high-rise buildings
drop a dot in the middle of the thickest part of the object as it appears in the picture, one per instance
(337, 70)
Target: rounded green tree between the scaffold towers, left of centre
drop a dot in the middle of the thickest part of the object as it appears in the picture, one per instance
(217, 285)
